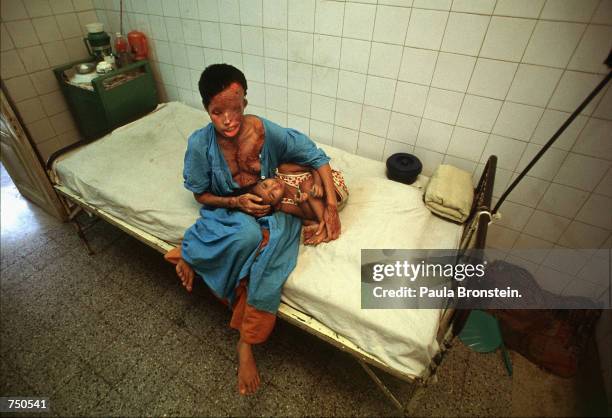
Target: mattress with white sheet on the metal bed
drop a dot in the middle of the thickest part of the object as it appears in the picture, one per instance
(135, 173)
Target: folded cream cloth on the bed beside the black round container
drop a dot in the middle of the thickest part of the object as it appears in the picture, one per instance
(450, 193)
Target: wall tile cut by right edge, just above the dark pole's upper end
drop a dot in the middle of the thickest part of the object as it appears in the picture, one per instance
(593, 50)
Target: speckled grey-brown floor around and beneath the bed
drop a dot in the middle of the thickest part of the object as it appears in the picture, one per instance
(115, 334)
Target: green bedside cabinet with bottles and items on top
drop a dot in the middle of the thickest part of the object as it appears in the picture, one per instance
(114, 99)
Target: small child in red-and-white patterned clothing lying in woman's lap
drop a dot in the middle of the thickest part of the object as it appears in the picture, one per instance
(298, 191)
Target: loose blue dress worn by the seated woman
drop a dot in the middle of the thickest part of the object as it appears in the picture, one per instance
(222, 245)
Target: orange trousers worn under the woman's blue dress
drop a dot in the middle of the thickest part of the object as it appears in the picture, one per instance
(254, 325)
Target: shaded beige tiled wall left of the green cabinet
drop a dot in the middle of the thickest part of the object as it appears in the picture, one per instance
(38, 35)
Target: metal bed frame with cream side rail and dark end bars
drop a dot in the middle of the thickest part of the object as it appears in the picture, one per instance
(451, 323)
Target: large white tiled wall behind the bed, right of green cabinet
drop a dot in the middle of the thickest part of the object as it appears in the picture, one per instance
(451, 81)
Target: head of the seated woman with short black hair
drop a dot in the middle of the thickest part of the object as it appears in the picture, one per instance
(223, 90)
